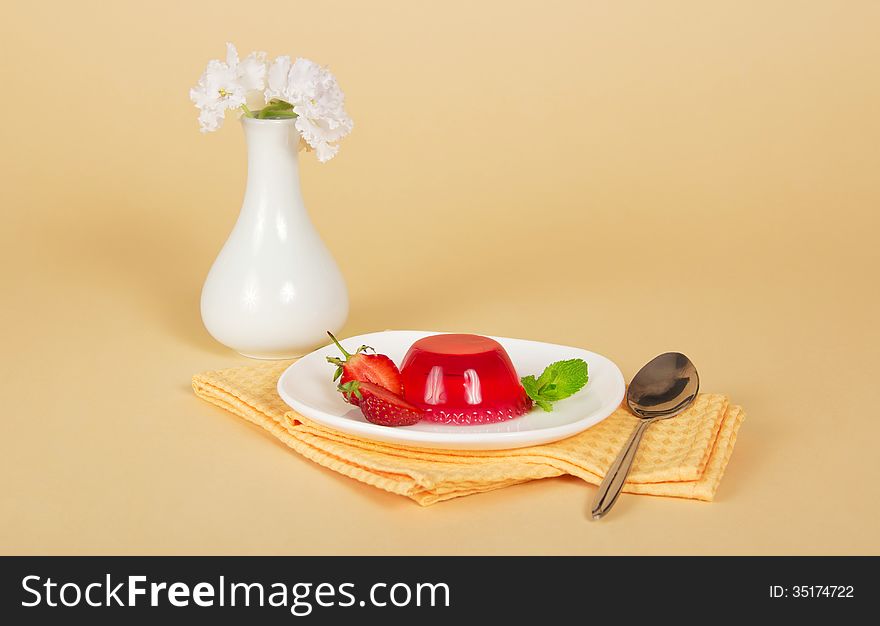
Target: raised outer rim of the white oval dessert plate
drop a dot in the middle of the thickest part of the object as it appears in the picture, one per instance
(464, 440)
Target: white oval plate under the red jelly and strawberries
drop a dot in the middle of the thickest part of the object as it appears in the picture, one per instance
(306, 386)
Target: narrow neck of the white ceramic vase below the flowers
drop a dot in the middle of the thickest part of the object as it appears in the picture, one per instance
(273, 168)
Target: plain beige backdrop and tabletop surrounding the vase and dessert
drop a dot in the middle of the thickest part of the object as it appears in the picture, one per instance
(628, 177)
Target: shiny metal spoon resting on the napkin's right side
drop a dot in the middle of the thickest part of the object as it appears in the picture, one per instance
(664, 387)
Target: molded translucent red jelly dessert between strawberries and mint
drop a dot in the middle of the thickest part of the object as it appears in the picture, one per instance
(462, 379)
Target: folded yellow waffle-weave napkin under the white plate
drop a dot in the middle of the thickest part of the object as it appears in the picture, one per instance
(683, 457)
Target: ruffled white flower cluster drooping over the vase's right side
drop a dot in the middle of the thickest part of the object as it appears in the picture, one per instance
(317, 101)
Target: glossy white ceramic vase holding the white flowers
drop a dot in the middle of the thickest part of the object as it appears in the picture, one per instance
(274, 289)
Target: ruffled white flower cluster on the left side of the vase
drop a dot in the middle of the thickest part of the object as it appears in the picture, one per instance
(225, 86)
